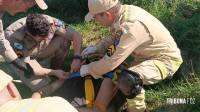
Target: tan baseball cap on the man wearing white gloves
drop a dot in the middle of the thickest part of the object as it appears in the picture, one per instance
(98, 6)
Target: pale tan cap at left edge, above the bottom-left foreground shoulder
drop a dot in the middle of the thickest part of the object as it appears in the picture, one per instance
(4, 79)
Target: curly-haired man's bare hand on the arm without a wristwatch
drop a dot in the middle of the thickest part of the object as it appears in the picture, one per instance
(61, 74)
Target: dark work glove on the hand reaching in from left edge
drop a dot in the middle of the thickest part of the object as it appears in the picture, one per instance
(25, 67)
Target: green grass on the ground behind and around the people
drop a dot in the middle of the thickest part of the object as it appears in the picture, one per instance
(181, 17)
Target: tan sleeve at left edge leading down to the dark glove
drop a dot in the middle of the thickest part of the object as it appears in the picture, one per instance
(5, 49)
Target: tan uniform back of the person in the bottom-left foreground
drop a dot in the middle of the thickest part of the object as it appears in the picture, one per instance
(48, 104)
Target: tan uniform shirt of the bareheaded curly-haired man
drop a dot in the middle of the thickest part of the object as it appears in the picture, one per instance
(23, 44)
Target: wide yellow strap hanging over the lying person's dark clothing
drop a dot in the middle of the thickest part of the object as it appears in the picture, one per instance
(89, 91)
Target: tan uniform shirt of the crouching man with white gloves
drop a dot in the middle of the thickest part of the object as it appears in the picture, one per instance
(140, 35)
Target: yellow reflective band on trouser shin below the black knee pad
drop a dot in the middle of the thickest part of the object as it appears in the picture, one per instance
(136, 101)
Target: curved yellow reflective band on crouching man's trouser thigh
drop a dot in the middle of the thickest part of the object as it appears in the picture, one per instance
(161, 66)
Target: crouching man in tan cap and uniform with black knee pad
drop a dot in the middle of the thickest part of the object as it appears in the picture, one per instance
(135, 33)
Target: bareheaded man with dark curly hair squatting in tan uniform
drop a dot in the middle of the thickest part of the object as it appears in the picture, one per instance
(38, 37)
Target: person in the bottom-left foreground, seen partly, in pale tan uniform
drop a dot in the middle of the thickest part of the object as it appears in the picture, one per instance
(11, 101)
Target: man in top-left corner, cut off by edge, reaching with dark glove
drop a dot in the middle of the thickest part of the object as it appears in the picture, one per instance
(13, 7)
